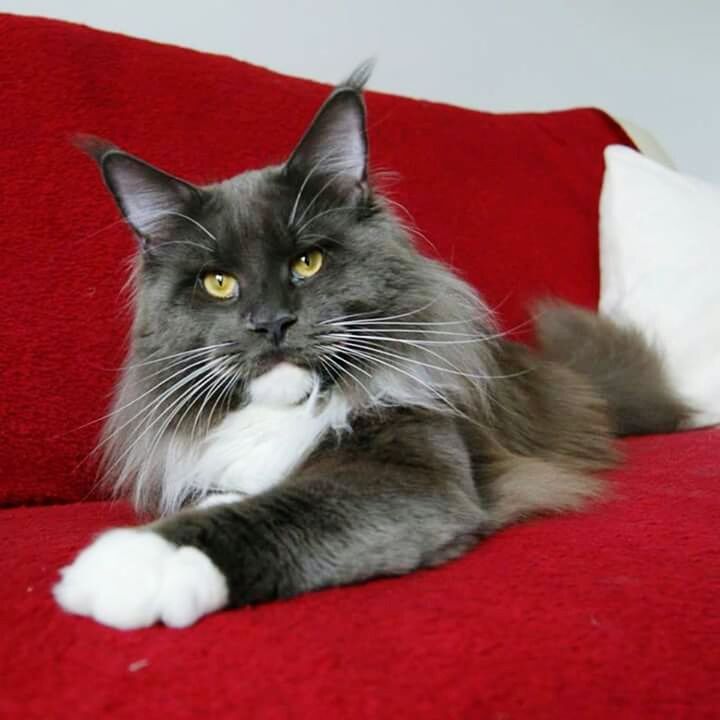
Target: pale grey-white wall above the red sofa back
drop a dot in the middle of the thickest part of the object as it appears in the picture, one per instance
(654, 62)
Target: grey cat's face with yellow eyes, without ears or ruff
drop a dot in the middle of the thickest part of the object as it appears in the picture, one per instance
(252, 275)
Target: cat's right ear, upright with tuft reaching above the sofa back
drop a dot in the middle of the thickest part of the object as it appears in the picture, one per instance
(335, 144)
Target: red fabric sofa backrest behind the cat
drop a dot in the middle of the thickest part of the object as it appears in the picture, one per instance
(510, 200)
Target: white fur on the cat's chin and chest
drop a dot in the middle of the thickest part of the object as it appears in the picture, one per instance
(258, 446)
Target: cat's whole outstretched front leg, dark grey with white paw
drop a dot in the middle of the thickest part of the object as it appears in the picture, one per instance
(348, 515)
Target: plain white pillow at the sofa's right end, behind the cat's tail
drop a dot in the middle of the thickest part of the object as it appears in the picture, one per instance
(660, 269)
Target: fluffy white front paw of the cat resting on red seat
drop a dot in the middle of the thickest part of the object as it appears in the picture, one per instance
(132, 578)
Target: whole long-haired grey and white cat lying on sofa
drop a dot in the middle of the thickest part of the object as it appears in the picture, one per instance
(309, 401)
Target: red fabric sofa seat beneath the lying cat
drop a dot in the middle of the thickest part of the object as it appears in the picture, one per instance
(609, 614)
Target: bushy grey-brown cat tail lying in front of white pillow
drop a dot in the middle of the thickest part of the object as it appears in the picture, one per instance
(621, 365)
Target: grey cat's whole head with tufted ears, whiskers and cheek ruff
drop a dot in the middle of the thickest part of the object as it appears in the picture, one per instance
(302, 263)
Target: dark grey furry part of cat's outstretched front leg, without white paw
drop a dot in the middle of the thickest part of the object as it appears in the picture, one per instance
(331, 528)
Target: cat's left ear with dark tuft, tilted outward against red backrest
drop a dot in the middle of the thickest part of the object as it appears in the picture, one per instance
(149, 198)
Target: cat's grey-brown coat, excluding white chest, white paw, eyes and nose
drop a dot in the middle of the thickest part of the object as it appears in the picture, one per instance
(453, 431)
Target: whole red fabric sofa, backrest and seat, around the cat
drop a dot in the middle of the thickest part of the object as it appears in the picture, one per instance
(613, 613)
